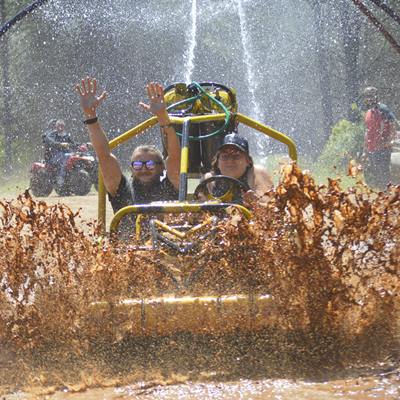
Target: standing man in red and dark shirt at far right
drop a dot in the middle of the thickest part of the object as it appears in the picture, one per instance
(379, 134)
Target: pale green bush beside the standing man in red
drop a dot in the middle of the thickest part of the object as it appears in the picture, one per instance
(344, 144)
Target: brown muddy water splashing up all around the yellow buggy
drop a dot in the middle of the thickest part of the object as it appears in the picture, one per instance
(329, 258)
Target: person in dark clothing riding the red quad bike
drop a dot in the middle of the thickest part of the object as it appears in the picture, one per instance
(58, 145)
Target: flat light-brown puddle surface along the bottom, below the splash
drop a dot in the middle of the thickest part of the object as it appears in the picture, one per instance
(357, 389)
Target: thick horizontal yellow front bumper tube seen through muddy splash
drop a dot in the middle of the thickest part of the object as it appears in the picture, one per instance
(198, 315)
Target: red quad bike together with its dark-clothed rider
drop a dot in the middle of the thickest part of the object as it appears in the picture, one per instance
(68, 167)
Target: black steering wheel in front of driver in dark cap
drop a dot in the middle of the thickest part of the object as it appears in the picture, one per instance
(227, 183)
